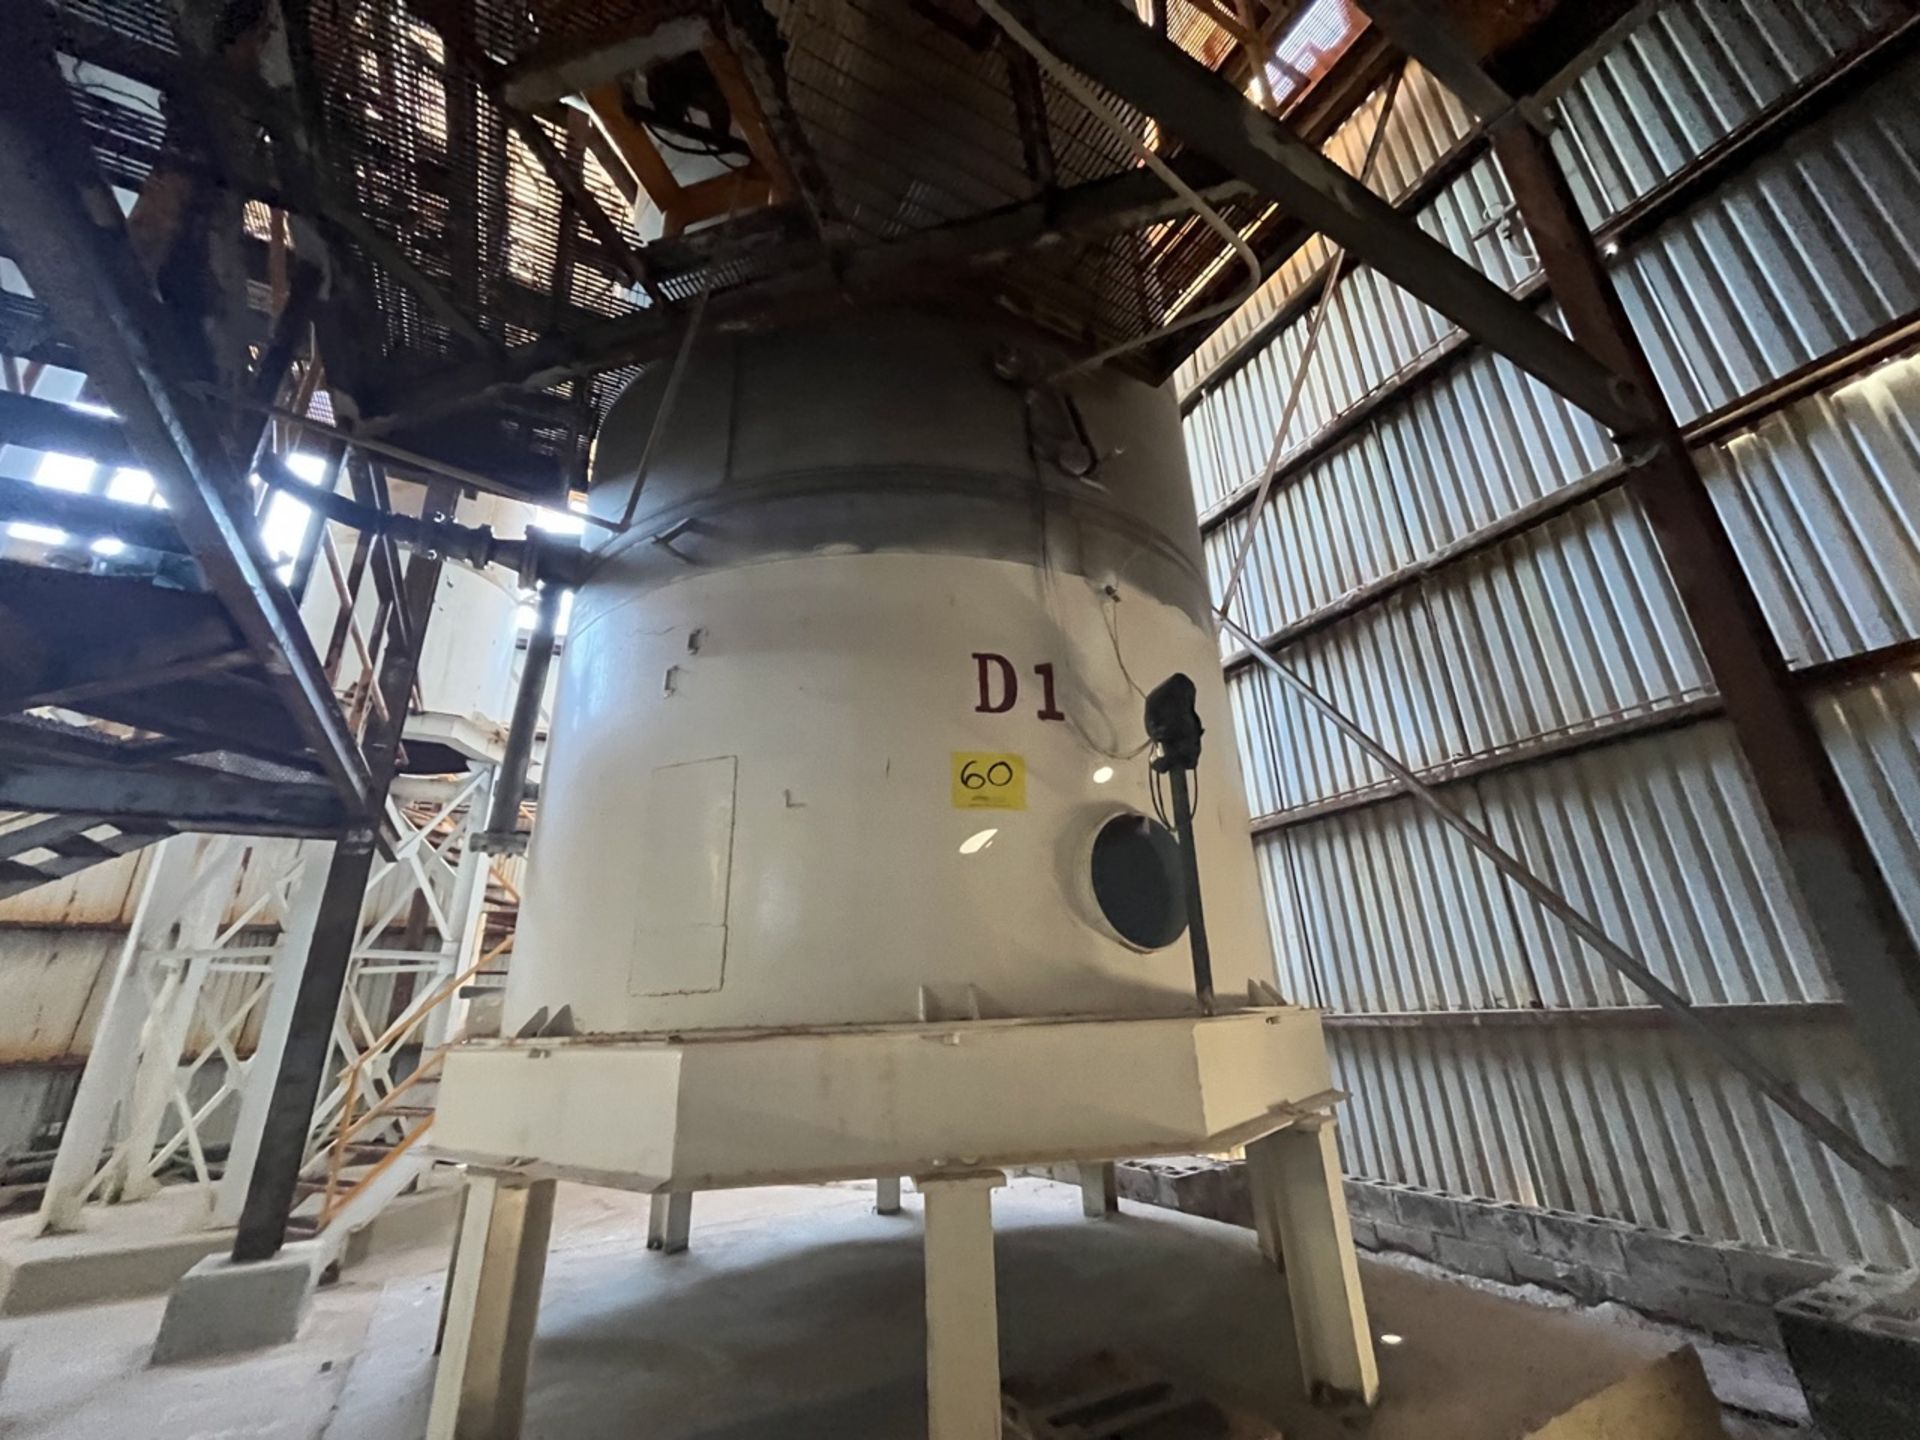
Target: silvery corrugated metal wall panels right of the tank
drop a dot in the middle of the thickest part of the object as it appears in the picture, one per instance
(1550, 675)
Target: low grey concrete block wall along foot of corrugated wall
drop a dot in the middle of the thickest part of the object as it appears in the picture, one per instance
(1717, 1287)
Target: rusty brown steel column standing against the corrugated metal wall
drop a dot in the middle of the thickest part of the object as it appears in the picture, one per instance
(1842, 888)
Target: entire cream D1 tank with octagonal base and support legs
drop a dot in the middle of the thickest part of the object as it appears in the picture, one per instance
(848, 863)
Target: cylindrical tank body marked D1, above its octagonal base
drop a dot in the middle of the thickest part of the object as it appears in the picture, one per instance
(850, 725)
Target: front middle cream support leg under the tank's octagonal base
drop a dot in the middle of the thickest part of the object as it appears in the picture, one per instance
(963, 1308)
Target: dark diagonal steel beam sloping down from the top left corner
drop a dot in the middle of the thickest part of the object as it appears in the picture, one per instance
(72, 245)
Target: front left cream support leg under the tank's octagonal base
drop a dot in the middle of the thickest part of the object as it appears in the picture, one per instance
(487, 1337)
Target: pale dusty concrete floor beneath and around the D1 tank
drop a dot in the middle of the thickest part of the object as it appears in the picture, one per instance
(798, 1316)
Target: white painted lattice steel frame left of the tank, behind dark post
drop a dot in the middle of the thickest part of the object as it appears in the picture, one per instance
(193, 986)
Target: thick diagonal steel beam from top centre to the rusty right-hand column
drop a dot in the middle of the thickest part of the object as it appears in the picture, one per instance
(1115, 49)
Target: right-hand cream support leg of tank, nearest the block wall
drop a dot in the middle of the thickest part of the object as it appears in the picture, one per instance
(1301, 1211)
